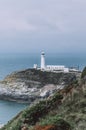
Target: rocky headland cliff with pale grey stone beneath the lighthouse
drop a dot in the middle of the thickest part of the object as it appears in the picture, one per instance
(31, 84)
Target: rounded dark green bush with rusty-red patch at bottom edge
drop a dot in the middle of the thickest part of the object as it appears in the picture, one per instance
(53, 123)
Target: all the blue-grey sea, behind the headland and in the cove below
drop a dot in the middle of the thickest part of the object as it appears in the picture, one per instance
(17, 62)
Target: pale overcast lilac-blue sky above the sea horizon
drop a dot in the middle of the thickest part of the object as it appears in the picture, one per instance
(49, 25)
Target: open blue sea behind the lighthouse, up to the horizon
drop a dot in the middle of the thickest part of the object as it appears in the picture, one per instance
(16, 62)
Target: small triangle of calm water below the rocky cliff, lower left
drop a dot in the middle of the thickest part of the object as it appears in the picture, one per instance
(9, 109)
